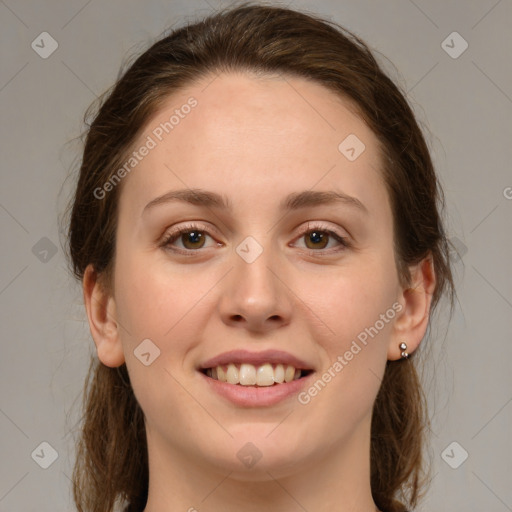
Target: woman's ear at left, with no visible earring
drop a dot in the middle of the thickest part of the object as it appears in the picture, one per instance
(101, 312)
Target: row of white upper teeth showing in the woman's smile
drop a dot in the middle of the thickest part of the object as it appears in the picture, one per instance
(247, 374)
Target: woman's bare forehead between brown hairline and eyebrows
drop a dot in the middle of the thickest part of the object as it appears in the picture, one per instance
(254, 137)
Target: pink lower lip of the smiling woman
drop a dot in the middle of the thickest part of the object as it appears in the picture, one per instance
(257, 396)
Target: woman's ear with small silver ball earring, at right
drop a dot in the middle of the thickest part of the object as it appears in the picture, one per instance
(411, 323)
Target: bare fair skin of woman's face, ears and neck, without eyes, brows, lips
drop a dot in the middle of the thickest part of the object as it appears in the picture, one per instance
(256, 140)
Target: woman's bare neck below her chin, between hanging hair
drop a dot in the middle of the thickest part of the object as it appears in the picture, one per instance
(338, 479)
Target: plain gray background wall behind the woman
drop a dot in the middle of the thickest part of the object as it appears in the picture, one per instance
(465, 107)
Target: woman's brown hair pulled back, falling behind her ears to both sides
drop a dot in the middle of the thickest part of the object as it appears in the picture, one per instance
(111, 461)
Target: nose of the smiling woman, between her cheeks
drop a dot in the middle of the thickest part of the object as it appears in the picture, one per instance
(256, 296)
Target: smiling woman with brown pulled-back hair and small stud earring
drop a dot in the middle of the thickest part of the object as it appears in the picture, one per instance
(257, 229)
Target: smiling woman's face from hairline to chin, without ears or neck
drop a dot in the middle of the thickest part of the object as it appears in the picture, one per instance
(263, 274)
